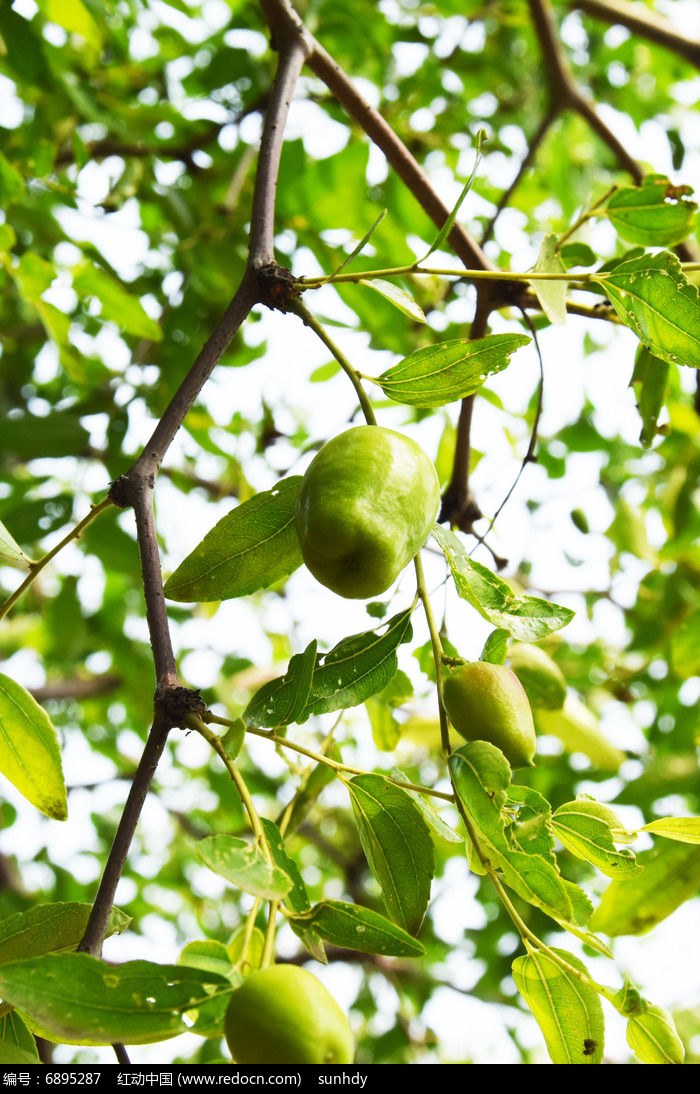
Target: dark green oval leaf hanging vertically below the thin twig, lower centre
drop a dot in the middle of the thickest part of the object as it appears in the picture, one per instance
(398, 845)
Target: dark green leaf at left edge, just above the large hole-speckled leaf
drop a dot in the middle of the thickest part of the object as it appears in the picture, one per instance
(50, 928)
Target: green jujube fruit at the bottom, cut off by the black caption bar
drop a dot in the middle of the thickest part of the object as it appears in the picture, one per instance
(284, 1015)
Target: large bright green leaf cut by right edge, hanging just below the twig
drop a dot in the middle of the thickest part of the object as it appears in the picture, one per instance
(652, 297)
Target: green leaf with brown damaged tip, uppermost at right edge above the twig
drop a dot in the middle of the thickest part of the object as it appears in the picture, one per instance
(654, 215)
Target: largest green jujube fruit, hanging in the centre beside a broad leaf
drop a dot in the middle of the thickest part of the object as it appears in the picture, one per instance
(365, 509)
